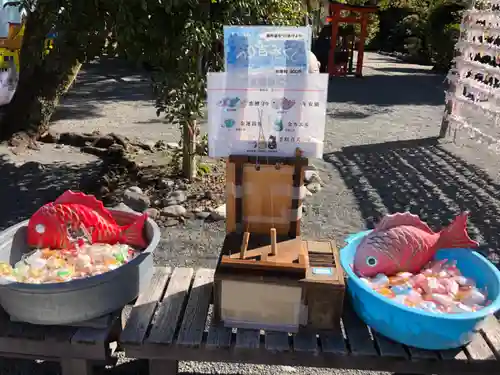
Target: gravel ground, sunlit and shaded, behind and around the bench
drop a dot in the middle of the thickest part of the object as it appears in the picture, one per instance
(380, 157)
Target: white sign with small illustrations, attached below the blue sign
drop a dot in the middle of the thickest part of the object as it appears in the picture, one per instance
(266, 114)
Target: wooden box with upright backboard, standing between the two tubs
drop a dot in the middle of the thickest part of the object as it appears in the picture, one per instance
(264, 278)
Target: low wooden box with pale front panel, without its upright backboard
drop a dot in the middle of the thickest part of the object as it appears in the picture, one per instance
(283, 301)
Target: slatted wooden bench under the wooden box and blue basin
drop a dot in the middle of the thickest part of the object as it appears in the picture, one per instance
(172, 322)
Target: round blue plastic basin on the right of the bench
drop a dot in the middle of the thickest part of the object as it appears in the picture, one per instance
(418, 328)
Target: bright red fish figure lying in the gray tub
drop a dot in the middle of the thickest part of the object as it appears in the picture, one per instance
(73, 212)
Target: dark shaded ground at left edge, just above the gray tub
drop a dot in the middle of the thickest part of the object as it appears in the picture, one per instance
(26, 187)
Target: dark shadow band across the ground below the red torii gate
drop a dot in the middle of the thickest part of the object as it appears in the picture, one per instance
(388, 90)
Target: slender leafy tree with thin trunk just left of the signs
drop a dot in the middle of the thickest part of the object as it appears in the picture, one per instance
(177, 39)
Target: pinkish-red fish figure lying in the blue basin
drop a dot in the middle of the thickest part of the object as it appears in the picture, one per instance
(403, 243)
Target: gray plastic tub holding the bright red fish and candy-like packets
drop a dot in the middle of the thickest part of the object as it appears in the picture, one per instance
(78, 300)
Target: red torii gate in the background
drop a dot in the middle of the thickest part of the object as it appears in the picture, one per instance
(358, 14)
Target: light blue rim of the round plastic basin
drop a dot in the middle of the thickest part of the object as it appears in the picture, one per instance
(483, 313)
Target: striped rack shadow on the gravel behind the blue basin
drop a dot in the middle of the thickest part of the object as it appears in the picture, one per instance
(422, 177)
